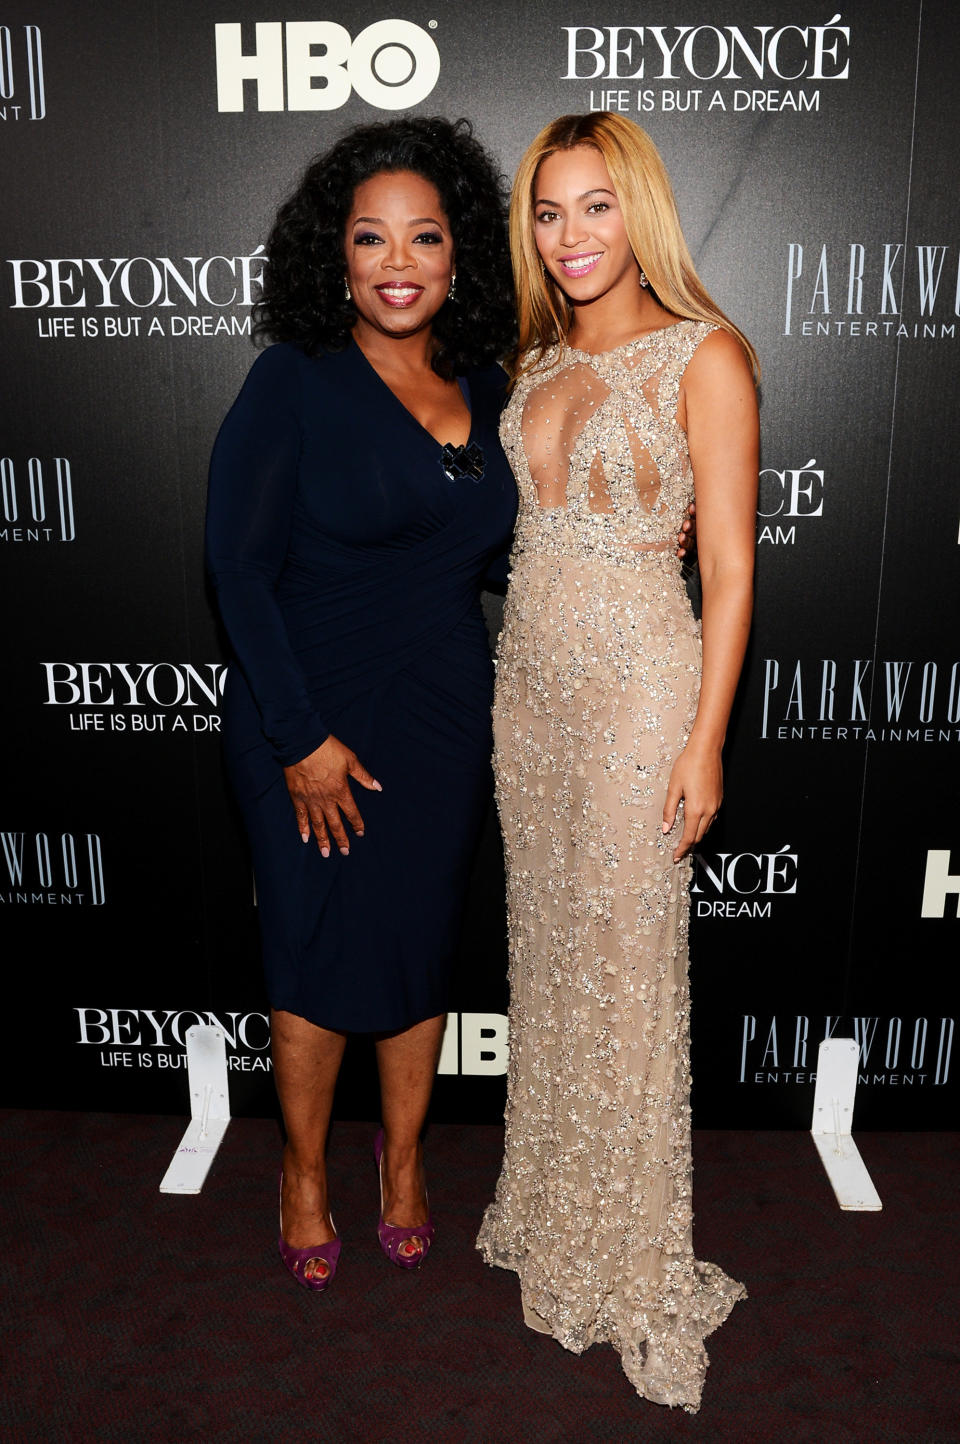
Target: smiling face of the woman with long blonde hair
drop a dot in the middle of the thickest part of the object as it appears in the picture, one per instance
(580, 226)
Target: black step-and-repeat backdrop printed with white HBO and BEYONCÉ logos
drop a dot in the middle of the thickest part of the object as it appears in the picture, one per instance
(145, 151)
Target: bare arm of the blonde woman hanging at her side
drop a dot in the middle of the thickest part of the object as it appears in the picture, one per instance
(718, 406)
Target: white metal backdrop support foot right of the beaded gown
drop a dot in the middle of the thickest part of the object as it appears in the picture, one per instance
(834, 1124)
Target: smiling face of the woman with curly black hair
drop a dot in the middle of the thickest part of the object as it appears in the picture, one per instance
(399, 253)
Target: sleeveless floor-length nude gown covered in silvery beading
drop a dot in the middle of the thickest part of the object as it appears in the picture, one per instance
(597, 691)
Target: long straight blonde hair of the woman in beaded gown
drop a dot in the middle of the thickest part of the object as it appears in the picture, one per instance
(653, 229)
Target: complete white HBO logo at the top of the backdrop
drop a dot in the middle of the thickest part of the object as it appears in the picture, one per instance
(392, 64)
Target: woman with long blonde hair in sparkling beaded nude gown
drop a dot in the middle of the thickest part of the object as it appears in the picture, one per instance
(629, 386)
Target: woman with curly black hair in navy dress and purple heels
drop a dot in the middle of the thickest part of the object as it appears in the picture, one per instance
(359, 497)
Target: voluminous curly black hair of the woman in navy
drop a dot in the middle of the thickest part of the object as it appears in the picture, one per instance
(304, 298)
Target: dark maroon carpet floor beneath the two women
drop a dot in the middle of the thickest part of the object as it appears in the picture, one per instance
(136, 1316)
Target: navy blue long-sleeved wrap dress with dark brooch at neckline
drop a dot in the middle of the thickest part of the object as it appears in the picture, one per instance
(349, 571)
